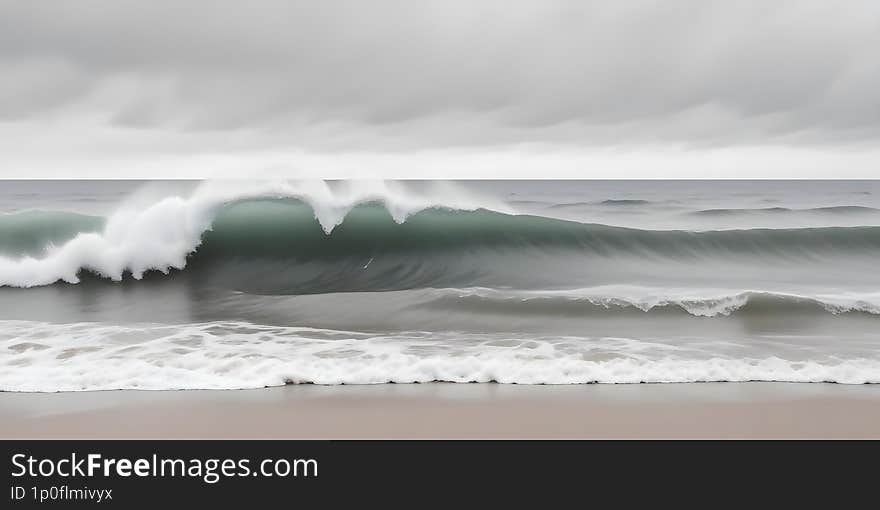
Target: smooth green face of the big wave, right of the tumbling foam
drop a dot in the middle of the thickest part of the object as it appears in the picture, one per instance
(289, 229)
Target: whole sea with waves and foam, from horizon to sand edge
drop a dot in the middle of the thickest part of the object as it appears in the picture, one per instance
(234, 284)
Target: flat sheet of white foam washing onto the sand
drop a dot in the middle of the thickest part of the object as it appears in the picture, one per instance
(38, 356)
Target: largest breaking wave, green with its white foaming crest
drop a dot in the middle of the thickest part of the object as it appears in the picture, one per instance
(354, 225)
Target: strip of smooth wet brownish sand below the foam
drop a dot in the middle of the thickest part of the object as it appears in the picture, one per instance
(693, 410)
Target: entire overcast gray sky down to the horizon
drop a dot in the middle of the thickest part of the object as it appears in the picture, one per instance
(451, 88)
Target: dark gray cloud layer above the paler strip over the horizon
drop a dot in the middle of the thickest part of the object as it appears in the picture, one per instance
(441, 73)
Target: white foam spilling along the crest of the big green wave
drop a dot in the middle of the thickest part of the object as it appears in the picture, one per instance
(158, 234)
